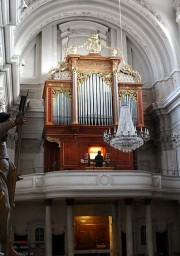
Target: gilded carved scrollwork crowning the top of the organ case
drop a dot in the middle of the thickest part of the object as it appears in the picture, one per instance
(94, 45)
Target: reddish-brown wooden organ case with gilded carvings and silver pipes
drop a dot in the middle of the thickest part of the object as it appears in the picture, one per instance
(82, 99)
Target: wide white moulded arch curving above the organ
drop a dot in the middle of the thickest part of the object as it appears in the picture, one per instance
(145, 28)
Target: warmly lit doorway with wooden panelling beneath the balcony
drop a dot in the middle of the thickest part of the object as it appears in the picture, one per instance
(92, 233)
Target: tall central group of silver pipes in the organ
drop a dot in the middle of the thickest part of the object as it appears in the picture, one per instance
(95, 102)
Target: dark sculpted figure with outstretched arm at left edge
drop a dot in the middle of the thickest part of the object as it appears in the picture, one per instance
(8, 178)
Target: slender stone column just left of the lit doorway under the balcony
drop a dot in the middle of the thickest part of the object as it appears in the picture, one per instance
(70, 228)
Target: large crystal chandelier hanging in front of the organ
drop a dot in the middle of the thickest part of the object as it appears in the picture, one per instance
(126, 138)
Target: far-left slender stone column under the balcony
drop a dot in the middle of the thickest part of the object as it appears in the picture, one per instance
(48, 228)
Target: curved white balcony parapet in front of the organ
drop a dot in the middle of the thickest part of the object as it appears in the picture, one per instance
(107, 184)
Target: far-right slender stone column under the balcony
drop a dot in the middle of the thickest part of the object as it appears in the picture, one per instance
(149, 229)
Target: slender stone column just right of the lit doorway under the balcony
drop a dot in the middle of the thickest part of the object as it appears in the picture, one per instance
(129, 229)
